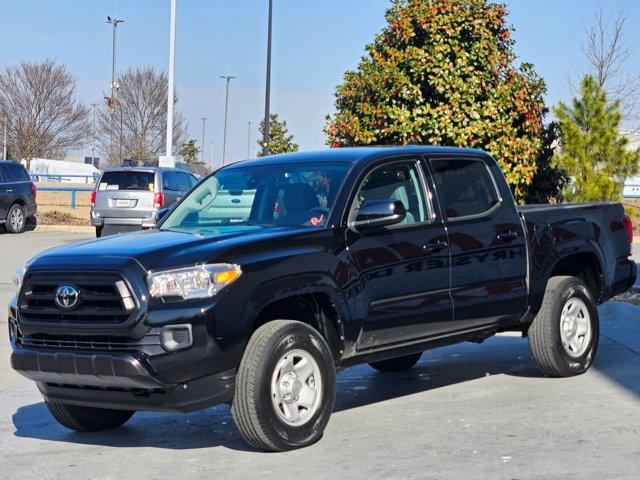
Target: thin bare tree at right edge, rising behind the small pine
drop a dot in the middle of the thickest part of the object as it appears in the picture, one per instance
(607, 53)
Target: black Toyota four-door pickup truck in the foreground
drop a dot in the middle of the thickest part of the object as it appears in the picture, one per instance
(270, 275)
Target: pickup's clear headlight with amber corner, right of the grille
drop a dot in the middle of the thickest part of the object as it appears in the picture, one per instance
(201, 281)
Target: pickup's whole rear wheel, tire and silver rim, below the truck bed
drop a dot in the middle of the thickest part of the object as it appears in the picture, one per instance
(564, 335)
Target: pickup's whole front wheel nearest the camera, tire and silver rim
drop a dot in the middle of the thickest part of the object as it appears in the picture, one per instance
(285, 387)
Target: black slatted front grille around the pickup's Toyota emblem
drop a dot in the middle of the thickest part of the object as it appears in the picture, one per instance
(100, 301)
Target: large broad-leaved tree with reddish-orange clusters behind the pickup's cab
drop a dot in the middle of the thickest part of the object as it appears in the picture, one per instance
(442, 73)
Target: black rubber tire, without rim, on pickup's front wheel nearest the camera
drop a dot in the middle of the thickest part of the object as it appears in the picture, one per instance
(253, 410)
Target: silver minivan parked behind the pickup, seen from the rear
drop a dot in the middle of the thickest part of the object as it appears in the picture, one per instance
(130, 197)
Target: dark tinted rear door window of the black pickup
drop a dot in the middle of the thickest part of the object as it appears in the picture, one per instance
(465, 187)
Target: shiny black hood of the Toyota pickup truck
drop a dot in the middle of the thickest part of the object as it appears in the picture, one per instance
(155, 249)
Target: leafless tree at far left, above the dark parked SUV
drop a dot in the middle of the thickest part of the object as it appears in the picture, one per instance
(38, 106)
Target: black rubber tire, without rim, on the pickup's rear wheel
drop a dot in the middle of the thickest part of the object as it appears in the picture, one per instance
(544, 334)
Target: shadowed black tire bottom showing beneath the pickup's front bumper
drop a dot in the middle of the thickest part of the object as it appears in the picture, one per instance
(87, 419)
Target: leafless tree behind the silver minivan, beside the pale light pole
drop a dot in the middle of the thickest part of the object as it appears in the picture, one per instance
(133, 125)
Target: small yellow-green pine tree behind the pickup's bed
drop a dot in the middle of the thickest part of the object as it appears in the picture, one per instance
(592, 150)
